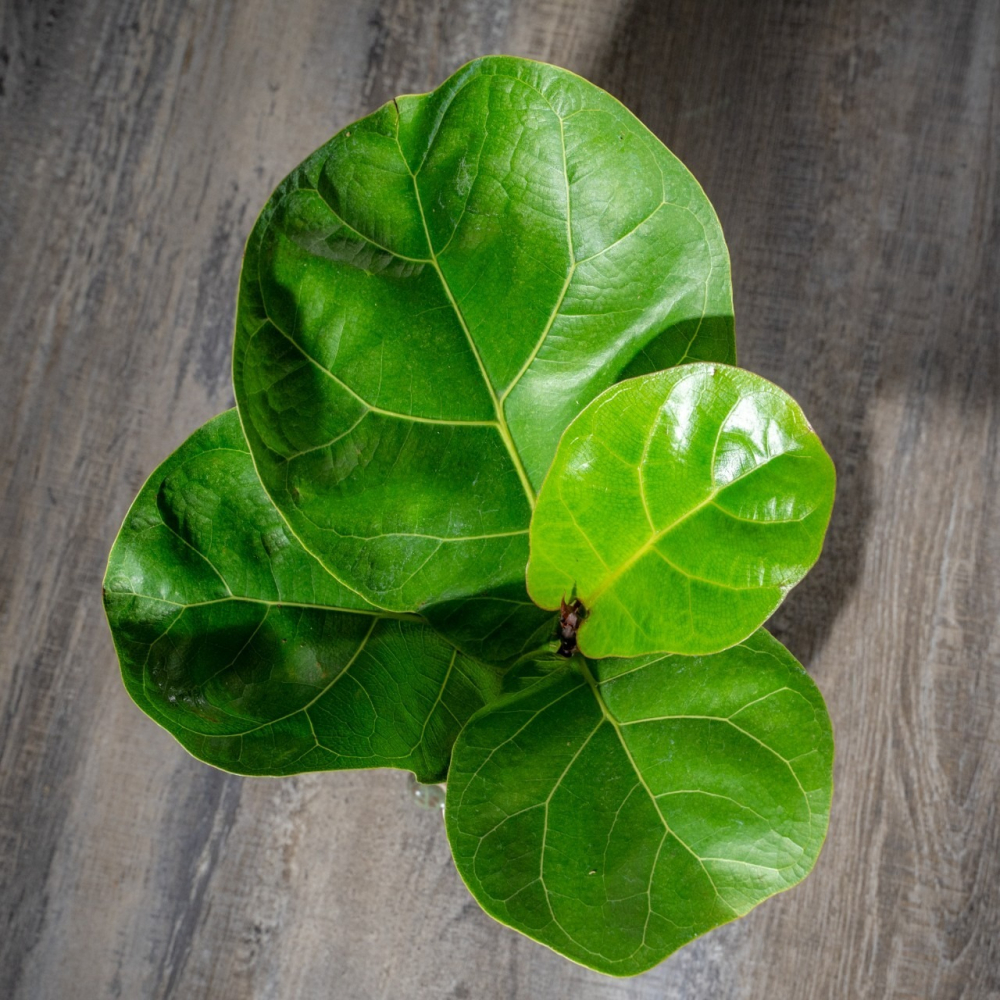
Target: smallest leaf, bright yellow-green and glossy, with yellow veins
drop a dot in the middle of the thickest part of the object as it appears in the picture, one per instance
(680, 509)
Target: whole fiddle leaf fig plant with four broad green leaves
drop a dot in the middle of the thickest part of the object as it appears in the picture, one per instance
(495, 507)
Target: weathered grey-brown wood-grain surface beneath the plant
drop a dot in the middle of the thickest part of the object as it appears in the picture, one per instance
(851, 149)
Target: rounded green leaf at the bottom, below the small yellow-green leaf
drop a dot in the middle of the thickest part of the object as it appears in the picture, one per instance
(619, 808)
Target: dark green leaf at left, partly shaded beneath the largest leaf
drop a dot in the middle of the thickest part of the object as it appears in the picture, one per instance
(239, 643)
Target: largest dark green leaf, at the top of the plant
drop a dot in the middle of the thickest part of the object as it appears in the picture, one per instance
(431, 297)
